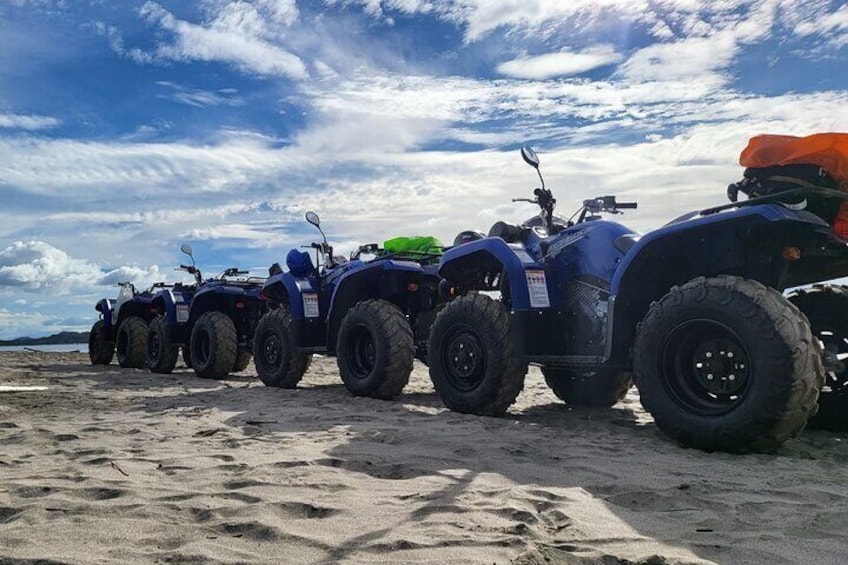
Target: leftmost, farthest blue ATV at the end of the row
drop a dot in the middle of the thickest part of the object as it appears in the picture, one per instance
(122, 327)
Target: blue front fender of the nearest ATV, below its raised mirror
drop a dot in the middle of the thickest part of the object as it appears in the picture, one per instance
(469, 264)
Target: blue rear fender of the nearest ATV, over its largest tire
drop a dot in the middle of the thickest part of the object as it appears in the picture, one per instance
(745, 242)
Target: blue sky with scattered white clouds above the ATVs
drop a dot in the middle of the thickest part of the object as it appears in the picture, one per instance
(127, 128)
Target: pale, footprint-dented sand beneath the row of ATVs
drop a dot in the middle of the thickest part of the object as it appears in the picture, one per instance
(110, 465)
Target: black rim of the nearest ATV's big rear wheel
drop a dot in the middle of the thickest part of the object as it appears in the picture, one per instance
(705, 366)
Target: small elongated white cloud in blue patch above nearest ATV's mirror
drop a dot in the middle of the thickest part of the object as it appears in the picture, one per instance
(564, 63)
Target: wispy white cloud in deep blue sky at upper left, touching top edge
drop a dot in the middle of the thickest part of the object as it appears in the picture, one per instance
(236, 33)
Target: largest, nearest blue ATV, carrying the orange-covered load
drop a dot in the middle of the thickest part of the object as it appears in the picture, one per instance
(692, 311)
